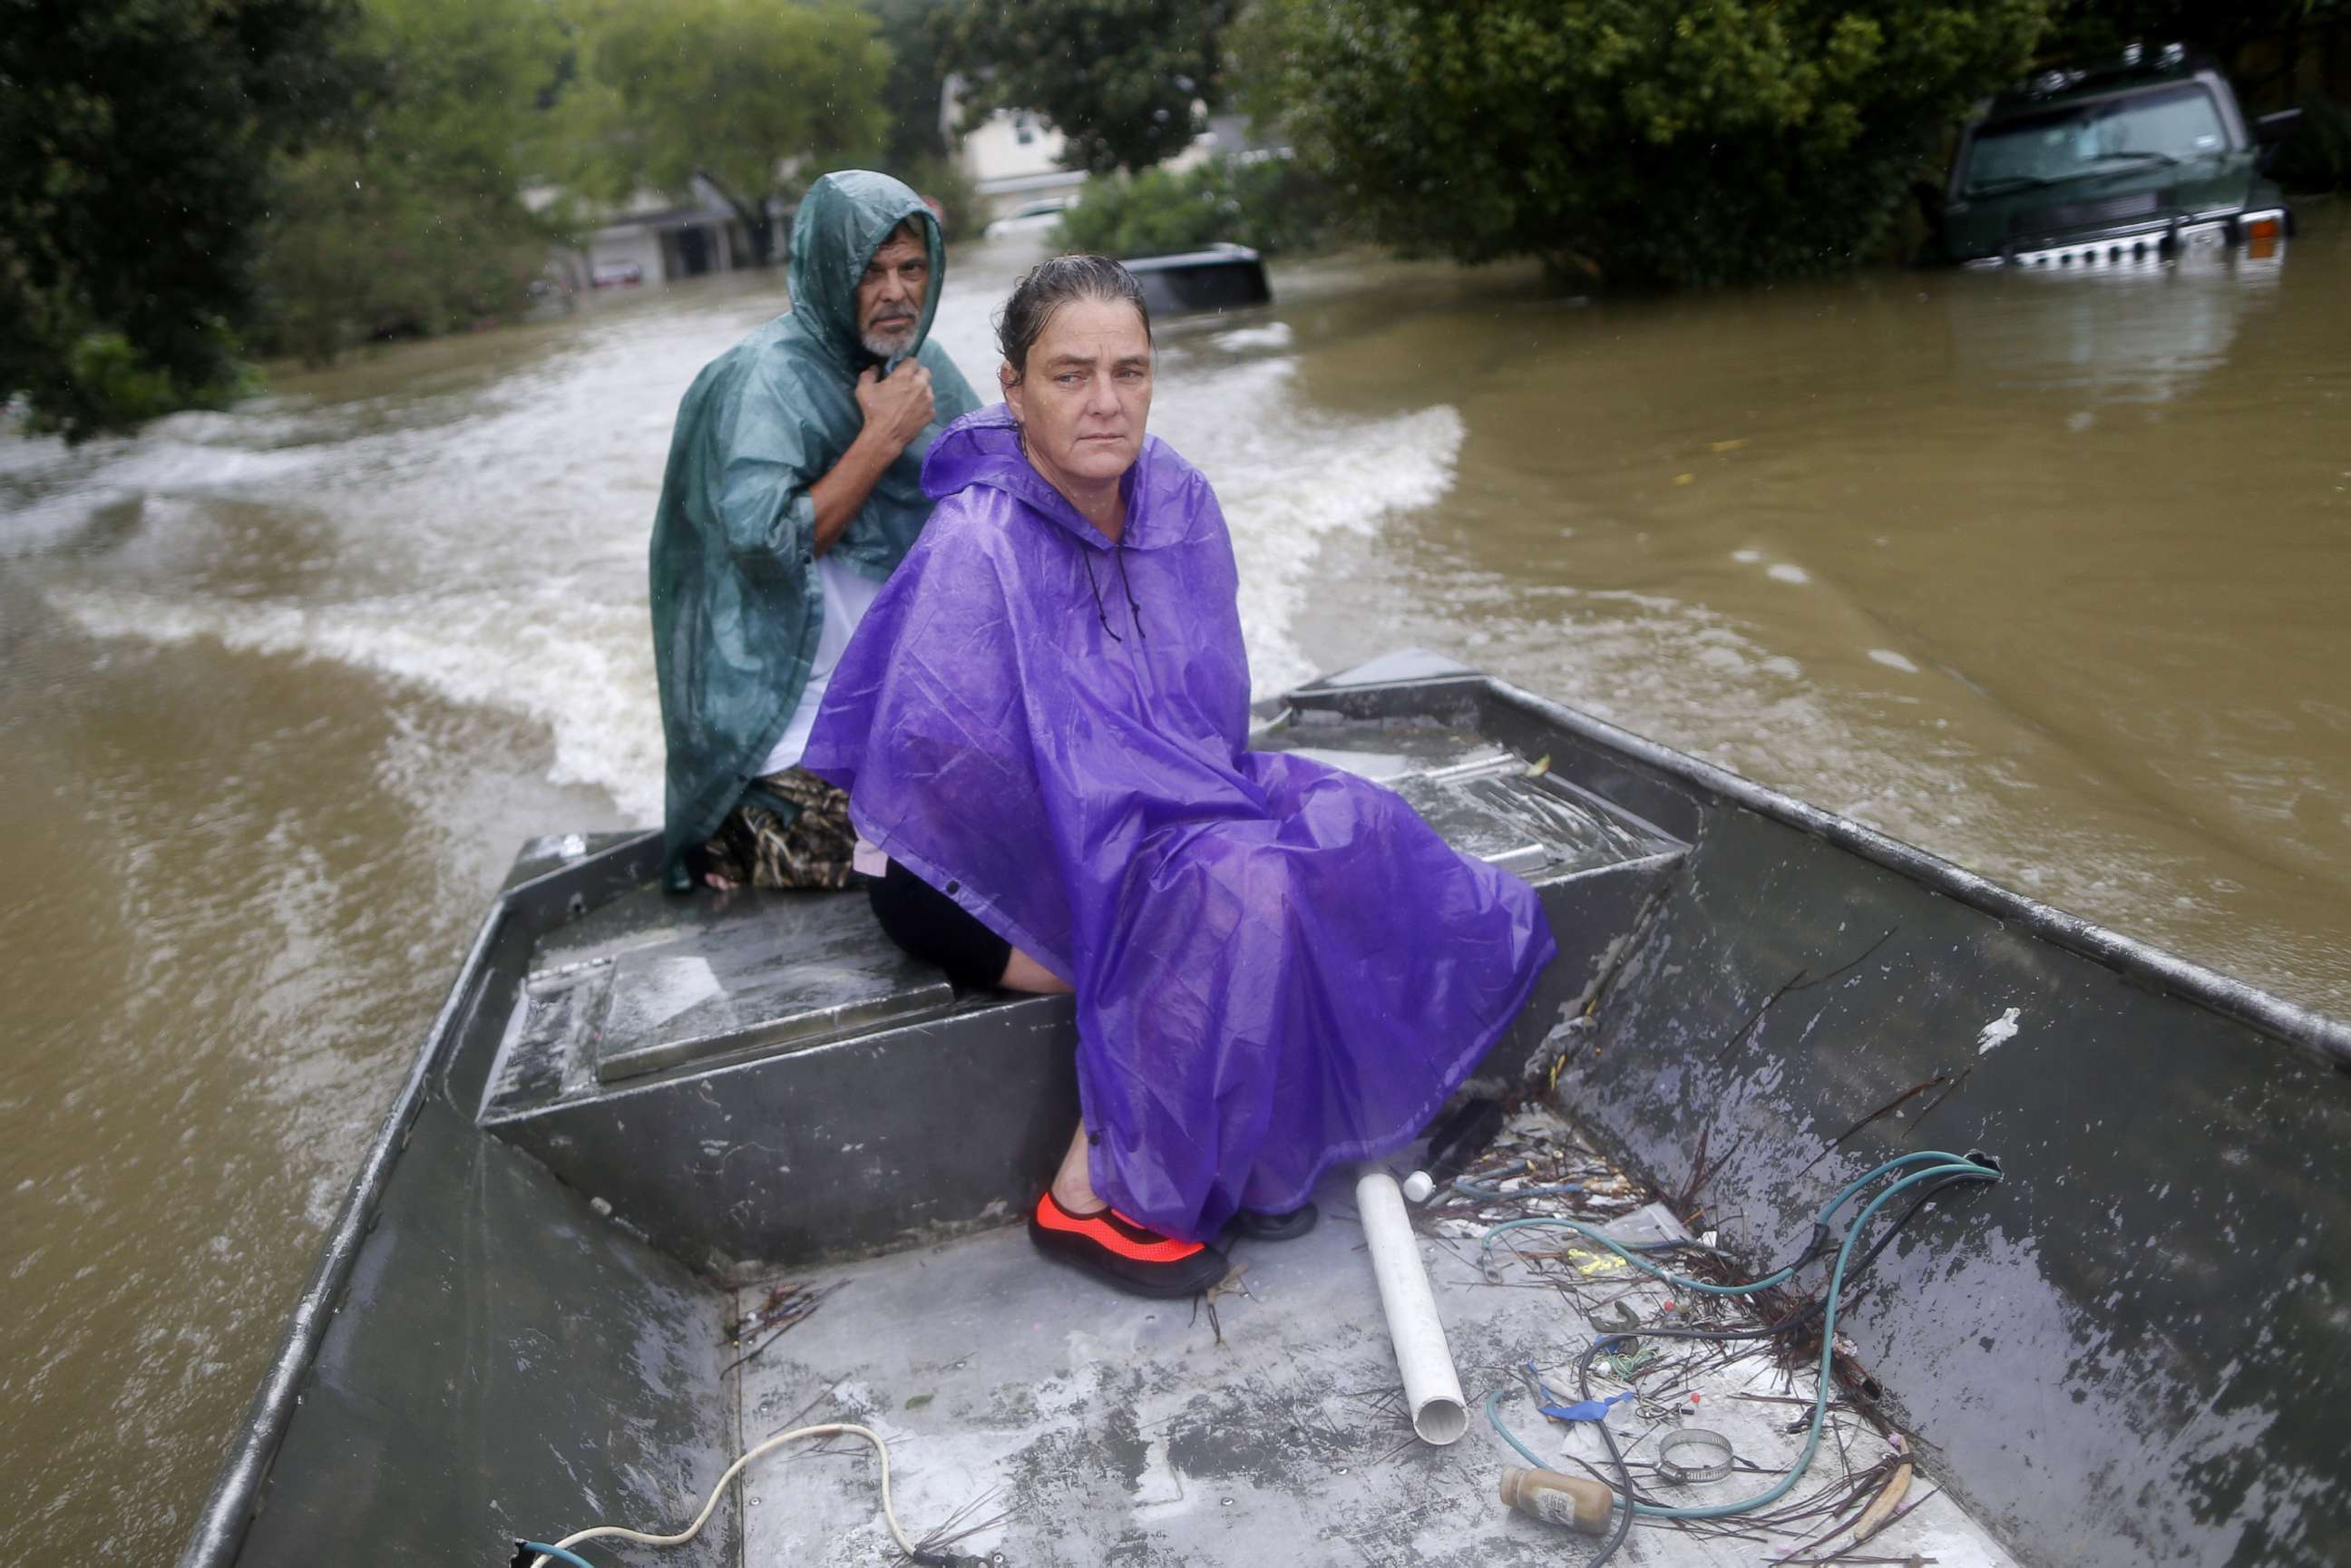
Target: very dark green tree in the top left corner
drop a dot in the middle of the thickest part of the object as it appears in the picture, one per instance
(135, 170)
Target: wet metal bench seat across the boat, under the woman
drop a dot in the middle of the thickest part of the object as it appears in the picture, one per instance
(765, 1080)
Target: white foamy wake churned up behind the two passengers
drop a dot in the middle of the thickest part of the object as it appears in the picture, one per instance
(488, 544)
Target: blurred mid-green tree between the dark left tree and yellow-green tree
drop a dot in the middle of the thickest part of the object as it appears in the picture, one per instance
(413, 217)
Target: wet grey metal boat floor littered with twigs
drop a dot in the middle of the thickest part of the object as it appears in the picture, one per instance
(1038, 1414)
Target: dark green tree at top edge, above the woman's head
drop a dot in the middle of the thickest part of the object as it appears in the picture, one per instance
(1118, 79)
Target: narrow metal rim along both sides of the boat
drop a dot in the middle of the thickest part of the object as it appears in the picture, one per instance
(236, 1494)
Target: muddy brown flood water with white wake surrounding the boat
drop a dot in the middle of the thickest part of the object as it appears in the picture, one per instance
(2047, 575)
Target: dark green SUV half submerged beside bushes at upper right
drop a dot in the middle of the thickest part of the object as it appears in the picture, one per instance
(2143, 161)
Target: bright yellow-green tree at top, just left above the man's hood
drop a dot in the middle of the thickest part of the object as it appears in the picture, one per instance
(753, 98)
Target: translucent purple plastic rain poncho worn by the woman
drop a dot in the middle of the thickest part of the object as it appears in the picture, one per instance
(1278, 965)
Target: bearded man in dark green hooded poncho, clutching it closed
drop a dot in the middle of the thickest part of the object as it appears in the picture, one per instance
(793, 490)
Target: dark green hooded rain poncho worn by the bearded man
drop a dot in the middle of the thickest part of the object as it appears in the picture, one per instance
(735, 589)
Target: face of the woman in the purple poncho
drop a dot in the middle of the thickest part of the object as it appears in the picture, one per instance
(1087, 391)
